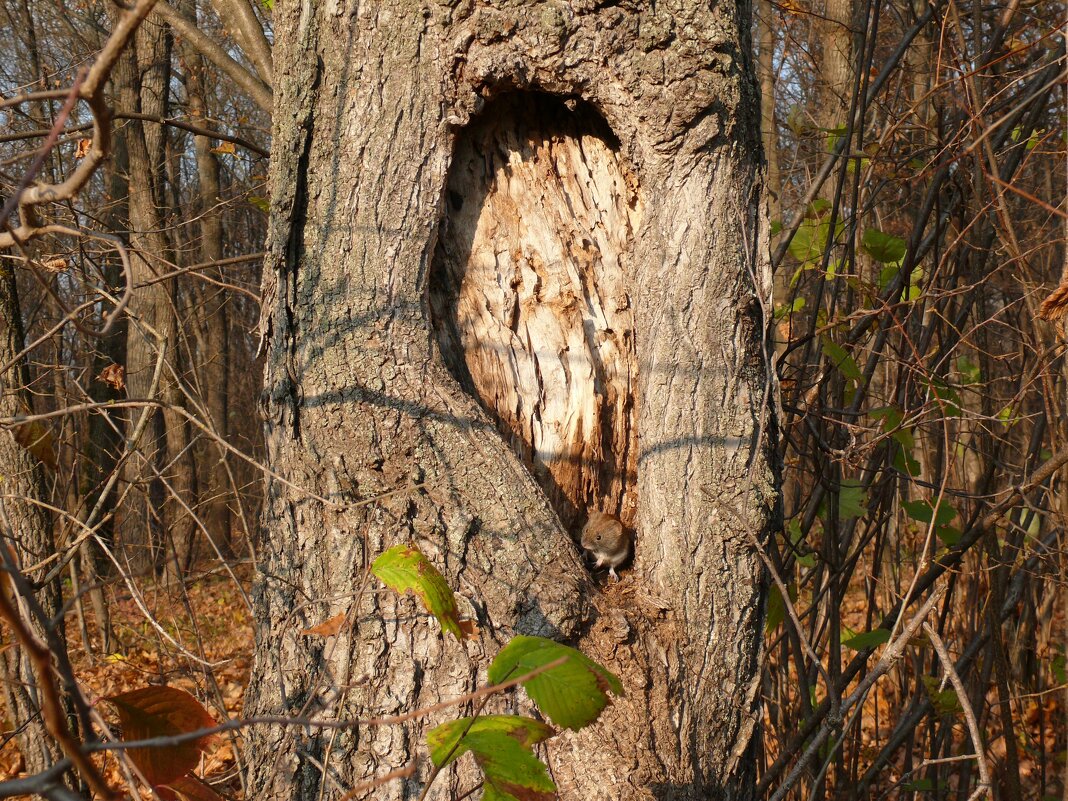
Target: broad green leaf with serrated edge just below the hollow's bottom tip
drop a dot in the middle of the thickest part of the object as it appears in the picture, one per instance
(572, 695)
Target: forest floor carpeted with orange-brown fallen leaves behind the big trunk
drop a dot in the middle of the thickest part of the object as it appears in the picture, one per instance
(202, 641)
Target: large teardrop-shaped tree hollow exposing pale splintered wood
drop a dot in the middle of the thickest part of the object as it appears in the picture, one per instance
(531, 295)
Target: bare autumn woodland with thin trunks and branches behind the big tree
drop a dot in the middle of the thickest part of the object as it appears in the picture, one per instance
(916, 167)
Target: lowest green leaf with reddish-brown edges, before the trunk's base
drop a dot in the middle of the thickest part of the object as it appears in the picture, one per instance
(501, 747)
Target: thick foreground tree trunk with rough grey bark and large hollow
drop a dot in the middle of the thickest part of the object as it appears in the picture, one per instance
(623, 226)
